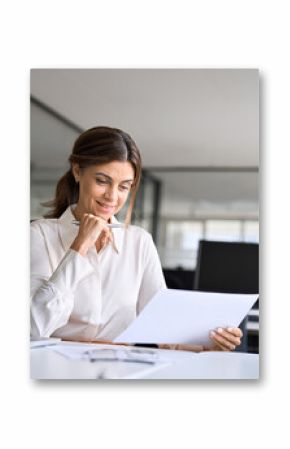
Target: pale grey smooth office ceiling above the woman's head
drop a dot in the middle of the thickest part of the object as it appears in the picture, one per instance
(178, 117)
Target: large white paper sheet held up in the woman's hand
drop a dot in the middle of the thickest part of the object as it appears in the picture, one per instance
(182, 316)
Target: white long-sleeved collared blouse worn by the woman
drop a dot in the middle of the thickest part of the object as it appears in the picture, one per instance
(91, 297)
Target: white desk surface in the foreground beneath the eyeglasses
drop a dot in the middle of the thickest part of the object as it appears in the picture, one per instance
(46, 363)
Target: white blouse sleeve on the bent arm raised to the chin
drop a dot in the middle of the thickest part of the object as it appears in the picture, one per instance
(52, 290)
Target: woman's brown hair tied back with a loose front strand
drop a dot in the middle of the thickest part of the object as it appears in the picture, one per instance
(99, 145)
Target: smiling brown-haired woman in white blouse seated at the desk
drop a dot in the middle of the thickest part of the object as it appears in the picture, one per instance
(89, 280)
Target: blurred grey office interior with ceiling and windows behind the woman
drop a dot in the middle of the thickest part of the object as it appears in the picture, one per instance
(198, 132)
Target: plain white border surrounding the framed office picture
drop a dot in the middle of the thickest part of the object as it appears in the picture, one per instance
(70, 34)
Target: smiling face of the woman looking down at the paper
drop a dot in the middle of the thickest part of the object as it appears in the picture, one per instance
(103, 189)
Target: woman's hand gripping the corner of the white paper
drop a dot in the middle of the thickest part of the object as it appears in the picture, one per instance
(225, 339)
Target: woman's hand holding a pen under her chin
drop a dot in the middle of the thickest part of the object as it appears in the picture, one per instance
(90, 229)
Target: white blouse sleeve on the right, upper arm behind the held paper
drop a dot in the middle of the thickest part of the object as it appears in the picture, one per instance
(153, 279)
